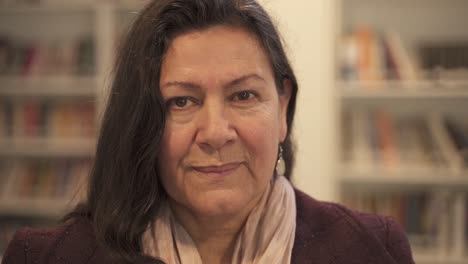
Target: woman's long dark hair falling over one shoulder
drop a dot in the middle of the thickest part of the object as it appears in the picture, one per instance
(124, 189)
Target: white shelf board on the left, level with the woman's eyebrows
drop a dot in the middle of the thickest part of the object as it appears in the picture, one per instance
(62, 86)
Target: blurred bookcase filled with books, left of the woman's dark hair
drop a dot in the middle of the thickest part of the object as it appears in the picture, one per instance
(51, 96)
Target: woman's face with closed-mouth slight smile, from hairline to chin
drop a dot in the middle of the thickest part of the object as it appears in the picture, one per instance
(224, 122)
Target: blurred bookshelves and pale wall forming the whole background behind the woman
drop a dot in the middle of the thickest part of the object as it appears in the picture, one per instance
(381, 125)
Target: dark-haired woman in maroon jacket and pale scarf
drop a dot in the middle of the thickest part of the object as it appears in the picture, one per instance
(189, 160)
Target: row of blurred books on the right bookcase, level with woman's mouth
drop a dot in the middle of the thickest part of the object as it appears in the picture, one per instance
(379, 139)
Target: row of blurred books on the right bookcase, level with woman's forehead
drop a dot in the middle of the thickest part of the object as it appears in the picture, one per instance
(368, 55)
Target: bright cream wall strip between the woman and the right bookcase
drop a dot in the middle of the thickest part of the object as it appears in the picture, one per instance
(308, 28)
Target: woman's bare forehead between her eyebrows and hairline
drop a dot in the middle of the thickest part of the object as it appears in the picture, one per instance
(216, 54)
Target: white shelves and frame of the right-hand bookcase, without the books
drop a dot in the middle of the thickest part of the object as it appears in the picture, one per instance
(416, 21)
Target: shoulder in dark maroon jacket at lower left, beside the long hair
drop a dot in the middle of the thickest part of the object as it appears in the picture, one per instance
(72, 242)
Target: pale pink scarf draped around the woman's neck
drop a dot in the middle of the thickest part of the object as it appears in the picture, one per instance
(267, 236)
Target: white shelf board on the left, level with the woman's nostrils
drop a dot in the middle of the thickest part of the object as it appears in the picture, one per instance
(47, 148)
